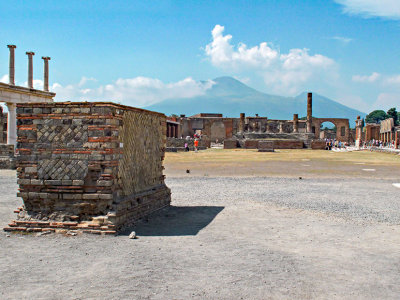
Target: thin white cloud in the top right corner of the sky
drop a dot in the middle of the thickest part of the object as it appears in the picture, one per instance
(372, 8)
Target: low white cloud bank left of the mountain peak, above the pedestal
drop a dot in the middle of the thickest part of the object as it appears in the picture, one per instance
(138, 91)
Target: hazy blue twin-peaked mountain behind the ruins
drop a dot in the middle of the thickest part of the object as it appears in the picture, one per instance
(231, 97)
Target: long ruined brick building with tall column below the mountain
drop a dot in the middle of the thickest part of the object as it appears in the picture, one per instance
(248, 130)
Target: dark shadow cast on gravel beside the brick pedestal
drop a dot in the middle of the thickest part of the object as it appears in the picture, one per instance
(176, 221)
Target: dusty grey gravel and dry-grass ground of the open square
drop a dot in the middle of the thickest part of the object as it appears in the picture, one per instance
(231, 233)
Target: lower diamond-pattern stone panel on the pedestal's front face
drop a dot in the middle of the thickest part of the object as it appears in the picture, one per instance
(56, 169)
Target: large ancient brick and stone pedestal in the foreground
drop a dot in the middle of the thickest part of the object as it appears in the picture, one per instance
(88, 167)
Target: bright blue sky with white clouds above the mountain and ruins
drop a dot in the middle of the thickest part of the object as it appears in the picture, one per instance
(141, 52)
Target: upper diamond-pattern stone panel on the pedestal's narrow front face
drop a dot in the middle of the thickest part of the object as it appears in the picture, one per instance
(69, 135)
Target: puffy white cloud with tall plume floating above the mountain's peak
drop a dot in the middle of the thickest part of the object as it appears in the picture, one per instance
(287, 73)
